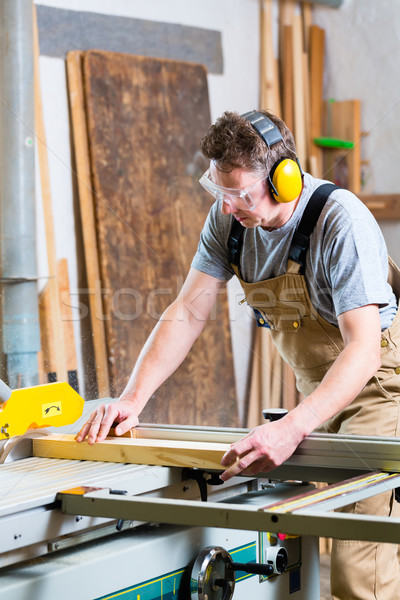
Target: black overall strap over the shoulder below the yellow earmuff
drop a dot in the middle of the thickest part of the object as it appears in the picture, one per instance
(307, 223)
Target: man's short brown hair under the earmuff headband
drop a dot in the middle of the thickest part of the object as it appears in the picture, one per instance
(233, 143)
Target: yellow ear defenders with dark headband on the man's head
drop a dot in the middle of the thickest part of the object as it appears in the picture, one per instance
(285, 179)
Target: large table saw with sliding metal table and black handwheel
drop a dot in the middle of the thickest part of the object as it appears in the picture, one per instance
(94, 529)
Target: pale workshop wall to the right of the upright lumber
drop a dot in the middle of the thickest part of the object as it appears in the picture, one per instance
(362, 58)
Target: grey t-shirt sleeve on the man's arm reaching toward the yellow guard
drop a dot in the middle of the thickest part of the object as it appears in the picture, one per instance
(212, 252)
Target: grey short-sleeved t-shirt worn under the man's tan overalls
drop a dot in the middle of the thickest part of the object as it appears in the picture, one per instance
(346, 263)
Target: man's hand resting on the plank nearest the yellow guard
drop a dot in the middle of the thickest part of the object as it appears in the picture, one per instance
(101, 420)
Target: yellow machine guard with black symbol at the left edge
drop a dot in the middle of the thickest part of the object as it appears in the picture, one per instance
(50, 405)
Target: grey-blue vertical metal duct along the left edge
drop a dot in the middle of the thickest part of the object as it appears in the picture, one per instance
(19, 294)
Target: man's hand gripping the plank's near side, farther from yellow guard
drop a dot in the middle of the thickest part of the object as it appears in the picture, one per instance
(261, 450)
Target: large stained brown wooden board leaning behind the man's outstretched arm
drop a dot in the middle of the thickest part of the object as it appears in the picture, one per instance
(146, 117)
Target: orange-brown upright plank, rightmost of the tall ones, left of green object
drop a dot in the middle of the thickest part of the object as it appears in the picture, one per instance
(317, 49)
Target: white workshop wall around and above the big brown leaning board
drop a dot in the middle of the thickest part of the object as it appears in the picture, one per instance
(233, 84)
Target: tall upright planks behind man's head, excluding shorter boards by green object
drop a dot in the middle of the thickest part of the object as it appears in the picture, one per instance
(291, 76)
